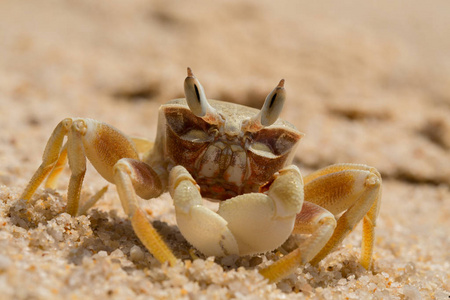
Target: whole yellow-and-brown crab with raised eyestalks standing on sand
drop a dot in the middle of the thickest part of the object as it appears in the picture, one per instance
(238, 156)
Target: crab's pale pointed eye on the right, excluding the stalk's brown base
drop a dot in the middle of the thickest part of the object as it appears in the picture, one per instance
(272, 106)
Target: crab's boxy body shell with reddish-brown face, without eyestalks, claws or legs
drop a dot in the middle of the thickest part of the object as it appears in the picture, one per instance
(223, 154)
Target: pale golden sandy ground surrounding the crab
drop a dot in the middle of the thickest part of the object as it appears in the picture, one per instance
(366, 83)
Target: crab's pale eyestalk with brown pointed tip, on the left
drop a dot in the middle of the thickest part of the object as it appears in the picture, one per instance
(195, 95)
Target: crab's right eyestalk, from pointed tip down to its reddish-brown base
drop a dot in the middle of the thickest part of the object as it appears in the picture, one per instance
(270, 111)
